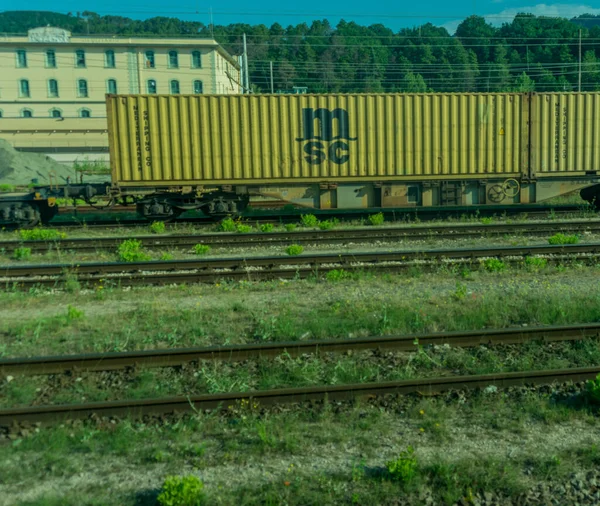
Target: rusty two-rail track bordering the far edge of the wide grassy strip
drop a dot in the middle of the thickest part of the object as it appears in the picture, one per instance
(272, 267)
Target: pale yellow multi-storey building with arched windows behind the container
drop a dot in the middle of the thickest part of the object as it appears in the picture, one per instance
(51, 74)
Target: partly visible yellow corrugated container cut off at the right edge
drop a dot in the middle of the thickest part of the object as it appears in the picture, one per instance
(565, 133)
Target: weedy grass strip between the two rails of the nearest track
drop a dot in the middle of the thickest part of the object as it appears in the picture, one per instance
(285, 371)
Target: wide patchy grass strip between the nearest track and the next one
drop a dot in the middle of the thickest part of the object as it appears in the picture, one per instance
(120, 320)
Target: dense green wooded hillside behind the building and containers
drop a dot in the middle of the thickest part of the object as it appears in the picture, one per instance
(529, 53)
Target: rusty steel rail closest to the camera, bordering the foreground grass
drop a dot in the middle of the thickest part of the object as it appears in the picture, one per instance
(161, 406)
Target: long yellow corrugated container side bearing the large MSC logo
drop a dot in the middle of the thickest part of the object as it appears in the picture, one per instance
(211, 139)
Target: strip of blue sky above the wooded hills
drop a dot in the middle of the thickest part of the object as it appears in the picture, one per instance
(391, 14)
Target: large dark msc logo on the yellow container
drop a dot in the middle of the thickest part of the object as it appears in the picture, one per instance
(325, 134)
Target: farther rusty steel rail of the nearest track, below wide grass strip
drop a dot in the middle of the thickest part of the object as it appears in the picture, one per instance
(175, 357)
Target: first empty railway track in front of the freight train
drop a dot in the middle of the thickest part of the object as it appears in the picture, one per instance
(362, 235)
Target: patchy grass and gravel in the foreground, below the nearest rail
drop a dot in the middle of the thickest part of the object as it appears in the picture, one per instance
(501, 443)
